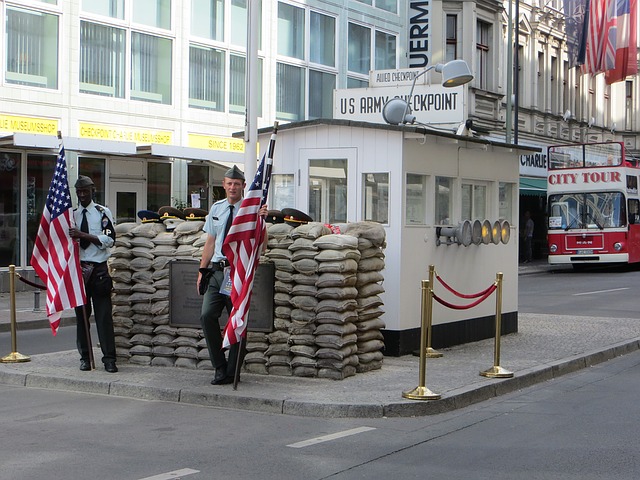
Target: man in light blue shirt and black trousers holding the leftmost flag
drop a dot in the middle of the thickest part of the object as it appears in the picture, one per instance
(96, 235)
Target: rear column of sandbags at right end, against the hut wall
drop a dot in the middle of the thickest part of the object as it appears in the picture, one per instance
(370, 341)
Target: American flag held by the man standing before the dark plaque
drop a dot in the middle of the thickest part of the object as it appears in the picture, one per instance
(242, 247)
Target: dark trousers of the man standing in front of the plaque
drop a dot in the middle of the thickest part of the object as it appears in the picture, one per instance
(212, 305)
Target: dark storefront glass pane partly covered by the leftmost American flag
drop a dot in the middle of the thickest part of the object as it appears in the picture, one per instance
(40, 170)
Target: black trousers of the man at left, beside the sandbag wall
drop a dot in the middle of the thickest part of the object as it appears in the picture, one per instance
(98, 289)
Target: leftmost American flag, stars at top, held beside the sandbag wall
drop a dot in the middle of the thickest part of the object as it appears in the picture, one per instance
(55, 256)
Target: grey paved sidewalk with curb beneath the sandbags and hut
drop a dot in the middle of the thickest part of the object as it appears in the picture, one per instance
(545, 347)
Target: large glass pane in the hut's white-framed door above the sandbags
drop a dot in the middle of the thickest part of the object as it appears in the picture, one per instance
(328, 190)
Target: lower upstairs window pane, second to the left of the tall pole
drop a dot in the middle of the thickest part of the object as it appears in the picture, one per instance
(206, 78)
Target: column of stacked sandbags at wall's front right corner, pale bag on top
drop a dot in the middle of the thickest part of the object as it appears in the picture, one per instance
(335, 331)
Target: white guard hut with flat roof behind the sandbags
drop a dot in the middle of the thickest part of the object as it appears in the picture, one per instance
(414, 181)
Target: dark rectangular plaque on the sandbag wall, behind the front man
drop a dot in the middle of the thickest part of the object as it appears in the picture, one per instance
(185, 303)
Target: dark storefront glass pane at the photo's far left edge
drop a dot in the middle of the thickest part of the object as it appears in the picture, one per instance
(10, 207)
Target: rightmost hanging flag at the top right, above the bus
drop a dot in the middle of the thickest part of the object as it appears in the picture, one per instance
(626, 44)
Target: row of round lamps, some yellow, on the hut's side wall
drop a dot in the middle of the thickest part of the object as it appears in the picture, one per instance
(476, 233)
